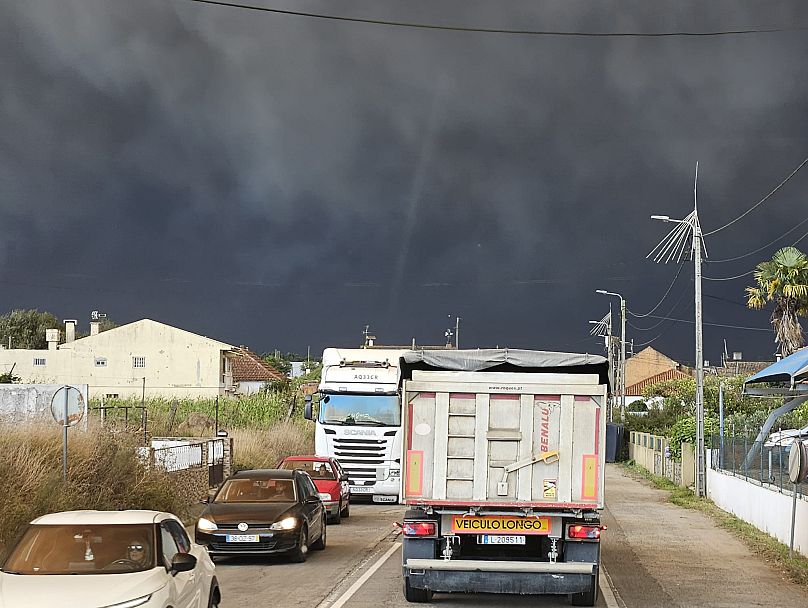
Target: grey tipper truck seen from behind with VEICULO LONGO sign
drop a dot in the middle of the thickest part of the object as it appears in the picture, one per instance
(503, 472)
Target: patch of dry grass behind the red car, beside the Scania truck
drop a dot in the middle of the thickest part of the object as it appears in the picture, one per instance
(265, 448)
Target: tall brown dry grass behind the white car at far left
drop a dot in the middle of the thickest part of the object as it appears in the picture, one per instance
(103, 473)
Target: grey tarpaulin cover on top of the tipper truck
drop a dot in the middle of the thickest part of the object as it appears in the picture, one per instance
(507, 359)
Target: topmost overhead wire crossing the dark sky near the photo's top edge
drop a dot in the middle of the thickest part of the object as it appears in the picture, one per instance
(490, 30)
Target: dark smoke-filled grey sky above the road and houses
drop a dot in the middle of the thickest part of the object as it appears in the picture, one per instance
(282, 181)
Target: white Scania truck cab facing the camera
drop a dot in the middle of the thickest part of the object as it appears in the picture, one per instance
(359, 418)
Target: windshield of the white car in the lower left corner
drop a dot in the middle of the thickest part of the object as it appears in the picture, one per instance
(86, 549)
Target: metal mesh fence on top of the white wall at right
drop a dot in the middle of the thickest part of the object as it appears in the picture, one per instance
(767, 466)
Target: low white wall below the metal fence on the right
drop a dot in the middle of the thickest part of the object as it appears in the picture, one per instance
(768, 510)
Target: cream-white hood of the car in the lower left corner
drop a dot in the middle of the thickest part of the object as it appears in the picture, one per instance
(77, 590)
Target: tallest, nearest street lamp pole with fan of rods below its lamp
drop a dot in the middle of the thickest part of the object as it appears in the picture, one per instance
(669, 247)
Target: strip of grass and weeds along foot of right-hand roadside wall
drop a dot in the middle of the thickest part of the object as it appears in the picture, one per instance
(795, 567)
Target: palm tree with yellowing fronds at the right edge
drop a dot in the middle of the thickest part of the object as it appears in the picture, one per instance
(784, 281)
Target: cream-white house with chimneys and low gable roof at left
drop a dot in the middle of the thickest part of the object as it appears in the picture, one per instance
(144, 356)
